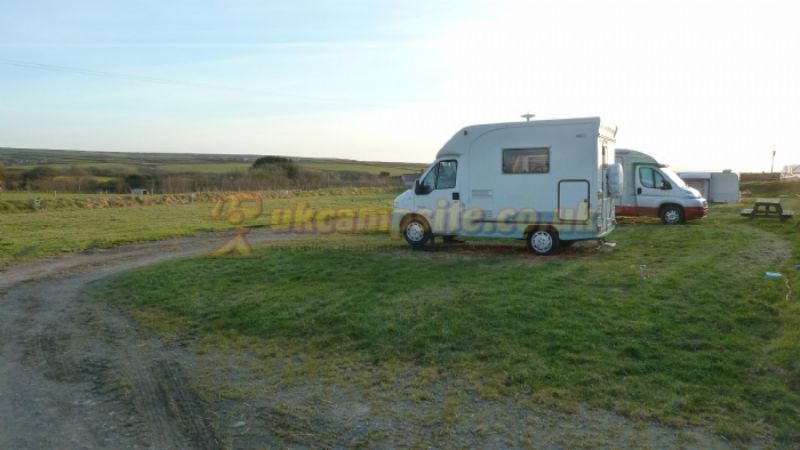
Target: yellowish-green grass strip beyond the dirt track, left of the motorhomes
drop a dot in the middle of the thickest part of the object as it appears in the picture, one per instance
(81, 222)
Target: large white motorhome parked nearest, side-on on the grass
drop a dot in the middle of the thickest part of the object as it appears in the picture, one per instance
(550, 182)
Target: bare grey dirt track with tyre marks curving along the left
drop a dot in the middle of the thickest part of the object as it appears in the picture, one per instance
(78, 374)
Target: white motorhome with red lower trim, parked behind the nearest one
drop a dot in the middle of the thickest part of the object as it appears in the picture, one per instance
(653, 189)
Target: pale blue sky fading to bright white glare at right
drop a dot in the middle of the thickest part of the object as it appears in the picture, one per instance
(702, 85)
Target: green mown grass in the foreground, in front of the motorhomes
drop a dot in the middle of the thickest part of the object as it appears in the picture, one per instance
(676, 324)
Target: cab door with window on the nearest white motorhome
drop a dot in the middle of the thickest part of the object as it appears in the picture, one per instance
(438, 198)
